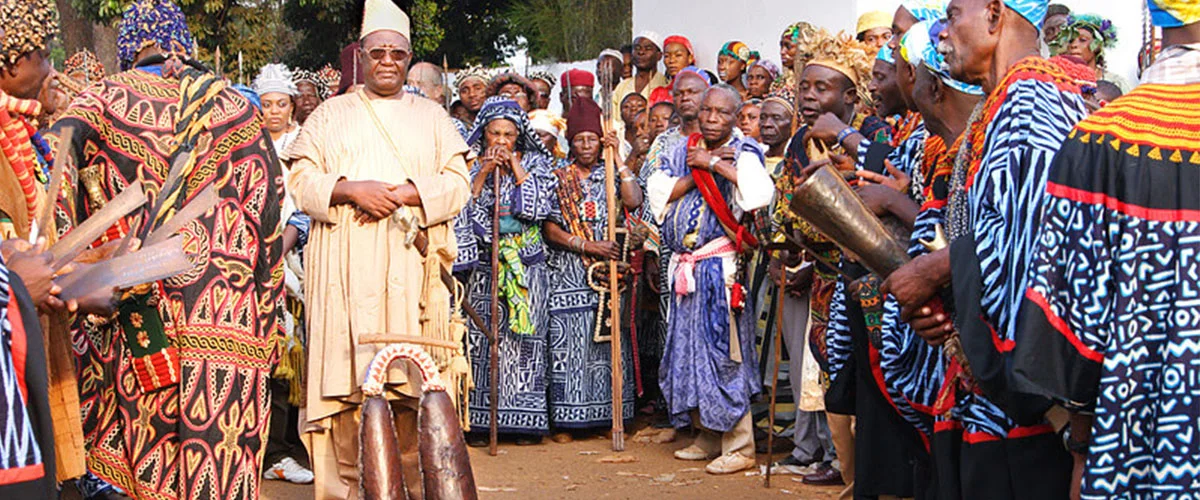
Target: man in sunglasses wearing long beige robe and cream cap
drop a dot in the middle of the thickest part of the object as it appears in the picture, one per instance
(374, 168)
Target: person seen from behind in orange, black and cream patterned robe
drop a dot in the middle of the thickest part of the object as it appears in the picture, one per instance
(193, 369)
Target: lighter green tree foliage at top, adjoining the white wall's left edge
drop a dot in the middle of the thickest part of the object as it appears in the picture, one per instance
(572, 31)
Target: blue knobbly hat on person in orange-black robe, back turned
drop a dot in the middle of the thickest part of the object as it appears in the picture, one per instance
(153, 22)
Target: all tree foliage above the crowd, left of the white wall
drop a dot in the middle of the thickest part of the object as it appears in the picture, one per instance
(313, 33)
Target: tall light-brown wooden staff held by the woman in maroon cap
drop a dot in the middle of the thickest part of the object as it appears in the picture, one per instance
(610, 171)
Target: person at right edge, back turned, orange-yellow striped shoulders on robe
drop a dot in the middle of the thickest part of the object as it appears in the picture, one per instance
(1108, 318)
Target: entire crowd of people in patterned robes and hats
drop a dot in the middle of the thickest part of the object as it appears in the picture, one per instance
(1034, 341)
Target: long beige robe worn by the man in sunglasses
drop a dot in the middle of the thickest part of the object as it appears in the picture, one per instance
(363, 280)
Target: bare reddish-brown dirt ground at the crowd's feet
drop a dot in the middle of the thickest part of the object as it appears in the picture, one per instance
(575, 471)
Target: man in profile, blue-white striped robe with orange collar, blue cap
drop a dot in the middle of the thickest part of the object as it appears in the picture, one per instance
(997, 195)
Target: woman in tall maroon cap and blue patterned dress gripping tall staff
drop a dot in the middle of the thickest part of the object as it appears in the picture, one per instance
(581, 368)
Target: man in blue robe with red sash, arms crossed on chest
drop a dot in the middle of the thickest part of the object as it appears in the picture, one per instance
(700, 195)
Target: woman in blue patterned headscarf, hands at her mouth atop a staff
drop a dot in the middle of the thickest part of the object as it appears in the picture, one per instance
(508, 147)
